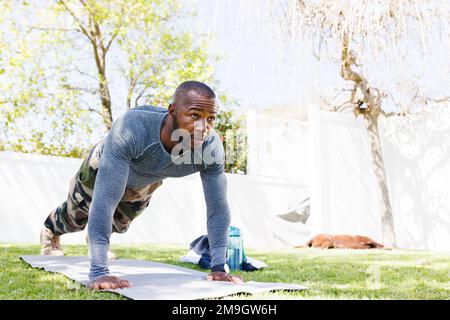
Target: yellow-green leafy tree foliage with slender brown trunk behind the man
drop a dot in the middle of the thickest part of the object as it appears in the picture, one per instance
(71, 60)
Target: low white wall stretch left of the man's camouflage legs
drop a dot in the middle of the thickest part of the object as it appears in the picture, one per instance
(30, 187)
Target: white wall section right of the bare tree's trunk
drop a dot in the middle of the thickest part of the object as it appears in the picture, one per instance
(417, 155)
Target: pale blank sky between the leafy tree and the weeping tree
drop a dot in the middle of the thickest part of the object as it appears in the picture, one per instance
(251, 70)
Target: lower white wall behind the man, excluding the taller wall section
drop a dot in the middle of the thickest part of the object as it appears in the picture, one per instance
(33, 185)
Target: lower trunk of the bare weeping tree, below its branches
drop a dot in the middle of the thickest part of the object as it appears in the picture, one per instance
(387, 220)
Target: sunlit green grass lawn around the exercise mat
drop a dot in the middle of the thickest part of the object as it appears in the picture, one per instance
(329, 274)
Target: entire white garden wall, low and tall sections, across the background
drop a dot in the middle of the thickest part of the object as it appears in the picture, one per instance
(328, 160)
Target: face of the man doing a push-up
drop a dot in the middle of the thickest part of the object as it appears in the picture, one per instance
(196, 115)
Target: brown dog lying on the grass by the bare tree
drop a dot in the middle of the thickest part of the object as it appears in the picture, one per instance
(341, 241)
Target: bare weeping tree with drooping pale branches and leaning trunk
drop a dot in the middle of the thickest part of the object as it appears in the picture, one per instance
(363, 30)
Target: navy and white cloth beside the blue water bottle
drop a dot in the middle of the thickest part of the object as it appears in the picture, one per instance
(199, 254)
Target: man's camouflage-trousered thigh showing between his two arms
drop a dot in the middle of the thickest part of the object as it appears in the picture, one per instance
(134, 201)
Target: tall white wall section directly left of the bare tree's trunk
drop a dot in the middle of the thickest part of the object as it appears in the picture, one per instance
(341, 181)
